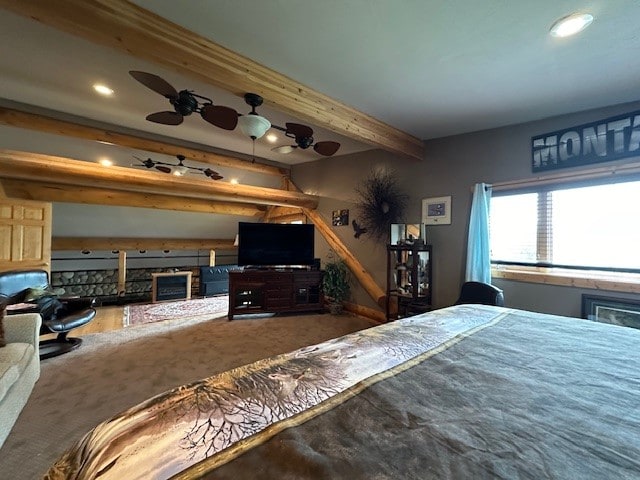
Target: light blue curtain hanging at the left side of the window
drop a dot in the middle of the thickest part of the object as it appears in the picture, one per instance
(478, 249)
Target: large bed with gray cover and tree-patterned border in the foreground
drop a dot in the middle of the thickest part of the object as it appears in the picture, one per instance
(469, 391)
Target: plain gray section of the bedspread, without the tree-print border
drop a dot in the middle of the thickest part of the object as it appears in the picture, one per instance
(531, 397)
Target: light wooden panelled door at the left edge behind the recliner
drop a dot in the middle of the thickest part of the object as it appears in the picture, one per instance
(25, 235)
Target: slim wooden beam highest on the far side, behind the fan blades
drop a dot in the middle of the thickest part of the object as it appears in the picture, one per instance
(42, 123)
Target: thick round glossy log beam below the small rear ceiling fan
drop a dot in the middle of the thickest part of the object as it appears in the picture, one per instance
(49, 169)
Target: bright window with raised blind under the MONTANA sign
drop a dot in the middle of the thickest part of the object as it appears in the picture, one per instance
(593, 226)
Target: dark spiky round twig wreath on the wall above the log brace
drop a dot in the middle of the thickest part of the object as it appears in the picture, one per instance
(381, 203)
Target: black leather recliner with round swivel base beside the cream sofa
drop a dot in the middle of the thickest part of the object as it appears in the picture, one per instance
(59, 315)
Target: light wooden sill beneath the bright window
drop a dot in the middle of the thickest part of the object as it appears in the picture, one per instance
(597, 280)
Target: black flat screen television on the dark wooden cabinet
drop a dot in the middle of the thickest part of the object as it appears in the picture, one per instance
(275, 244)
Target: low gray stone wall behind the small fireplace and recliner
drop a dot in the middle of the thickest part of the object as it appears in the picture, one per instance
(103, 284)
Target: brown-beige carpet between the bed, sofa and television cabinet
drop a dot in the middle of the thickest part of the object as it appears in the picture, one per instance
(113, 371)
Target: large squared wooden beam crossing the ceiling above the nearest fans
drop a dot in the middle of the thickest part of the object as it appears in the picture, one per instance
(126, 27)
